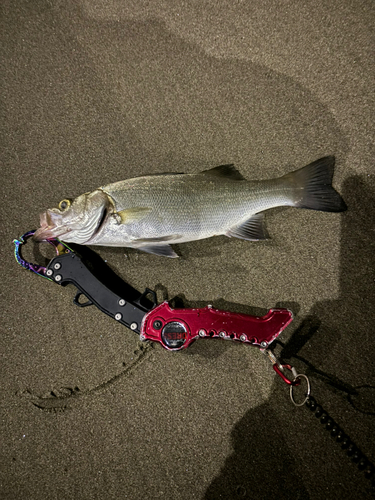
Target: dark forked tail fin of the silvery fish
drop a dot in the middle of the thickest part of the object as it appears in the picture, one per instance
(312, 186)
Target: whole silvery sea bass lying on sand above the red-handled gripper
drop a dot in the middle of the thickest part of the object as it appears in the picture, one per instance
(152, 212)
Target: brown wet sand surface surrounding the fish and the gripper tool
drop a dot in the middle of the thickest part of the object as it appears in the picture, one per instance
(99, 91)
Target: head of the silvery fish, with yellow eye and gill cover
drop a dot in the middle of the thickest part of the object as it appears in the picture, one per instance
(75, 221)
